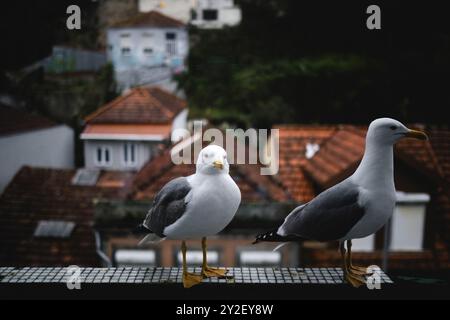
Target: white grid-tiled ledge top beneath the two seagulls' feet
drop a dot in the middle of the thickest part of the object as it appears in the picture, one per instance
(160, 275)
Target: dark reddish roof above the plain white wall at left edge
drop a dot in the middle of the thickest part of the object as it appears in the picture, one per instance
(14, 121)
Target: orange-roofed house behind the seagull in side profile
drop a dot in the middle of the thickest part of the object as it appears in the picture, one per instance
(313, 158)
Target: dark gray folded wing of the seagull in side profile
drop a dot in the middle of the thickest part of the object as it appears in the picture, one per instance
(329, 216)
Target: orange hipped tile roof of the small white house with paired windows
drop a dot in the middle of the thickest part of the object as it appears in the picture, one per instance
(139, 106)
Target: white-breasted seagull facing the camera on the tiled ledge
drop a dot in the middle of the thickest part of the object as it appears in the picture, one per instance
(193, 207)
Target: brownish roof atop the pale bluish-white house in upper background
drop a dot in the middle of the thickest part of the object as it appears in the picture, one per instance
(150, 19)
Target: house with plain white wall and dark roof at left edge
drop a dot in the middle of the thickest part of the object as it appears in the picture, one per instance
(27, 139)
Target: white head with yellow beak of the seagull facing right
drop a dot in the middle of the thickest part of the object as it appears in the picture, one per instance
(389, 131)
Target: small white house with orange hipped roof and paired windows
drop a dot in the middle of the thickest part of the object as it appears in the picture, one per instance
(126, 133)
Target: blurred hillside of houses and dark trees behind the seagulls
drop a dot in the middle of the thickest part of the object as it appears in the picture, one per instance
(87, 121)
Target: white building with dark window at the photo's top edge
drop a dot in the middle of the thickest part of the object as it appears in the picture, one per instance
(215, 14)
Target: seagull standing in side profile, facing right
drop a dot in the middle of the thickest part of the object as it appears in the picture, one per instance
(355, 208)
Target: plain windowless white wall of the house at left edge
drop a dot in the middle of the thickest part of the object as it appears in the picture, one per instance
(50, 147)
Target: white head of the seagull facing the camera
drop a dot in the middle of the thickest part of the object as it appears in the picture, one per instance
(213, 160)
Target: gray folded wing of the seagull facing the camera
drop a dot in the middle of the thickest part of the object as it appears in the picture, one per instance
(168, 206)
